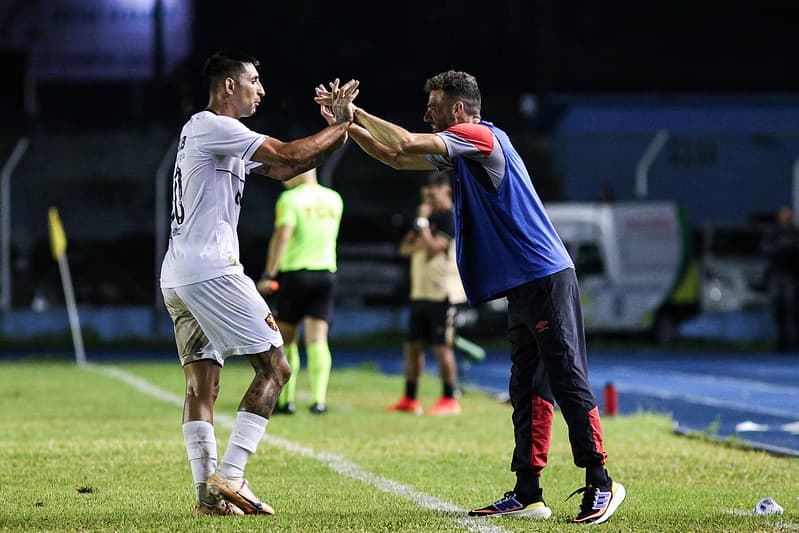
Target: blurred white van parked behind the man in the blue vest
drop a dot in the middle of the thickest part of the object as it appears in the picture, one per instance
(633, 262)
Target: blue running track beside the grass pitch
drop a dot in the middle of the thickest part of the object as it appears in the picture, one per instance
(751, 397)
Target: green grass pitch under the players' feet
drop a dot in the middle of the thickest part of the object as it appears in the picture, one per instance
(87, 449)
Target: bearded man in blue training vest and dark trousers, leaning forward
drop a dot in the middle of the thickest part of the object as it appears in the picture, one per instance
(508, 247)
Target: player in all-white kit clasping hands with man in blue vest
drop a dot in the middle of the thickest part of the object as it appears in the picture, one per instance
(215, 308)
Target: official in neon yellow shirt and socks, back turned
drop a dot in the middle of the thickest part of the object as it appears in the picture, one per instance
(302, 260)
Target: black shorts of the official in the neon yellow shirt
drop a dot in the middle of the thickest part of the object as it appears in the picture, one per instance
(304, 293)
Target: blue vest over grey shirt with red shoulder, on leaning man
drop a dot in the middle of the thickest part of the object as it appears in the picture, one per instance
(503, 236)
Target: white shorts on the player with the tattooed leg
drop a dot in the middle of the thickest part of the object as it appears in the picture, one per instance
(220, 317)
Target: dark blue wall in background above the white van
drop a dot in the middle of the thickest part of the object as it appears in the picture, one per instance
(725, 160)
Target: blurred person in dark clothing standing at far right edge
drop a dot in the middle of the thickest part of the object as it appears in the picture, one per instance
(781, 246)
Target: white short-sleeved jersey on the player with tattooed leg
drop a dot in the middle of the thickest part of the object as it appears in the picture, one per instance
(213, 159)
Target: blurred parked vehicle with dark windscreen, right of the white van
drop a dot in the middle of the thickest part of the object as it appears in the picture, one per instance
(732, 268)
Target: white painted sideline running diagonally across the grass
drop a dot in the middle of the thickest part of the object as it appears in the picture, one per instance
(332, 461)
